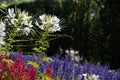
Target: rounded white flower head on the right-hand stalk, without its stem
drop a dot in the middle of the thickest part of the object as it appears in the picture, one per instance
(48, 21)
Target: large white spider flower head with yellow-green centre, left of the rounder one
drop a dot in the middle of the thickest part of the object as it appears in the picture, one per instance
(20, 20)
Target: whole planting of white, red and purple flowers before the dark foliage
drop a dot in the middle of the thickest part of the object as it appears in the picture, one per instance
(18, 27)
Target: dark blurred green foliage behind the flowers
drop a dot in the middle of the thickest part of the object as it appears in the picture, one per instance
(93, 24)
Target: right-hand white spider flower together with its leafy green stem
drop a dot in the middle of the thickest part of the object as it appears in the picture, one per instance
(49, 24)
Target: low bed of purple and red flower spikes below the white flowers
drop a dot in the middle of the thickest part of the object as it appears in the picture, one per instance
(60, 69)
